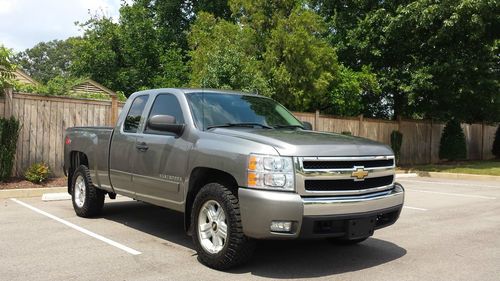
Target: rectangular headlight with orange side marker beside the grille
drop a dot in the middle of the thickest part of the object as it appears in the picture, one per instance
(270, 172)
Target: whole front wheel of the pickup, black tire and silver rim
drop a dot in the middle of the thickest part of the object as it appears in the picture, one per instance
(218, 234)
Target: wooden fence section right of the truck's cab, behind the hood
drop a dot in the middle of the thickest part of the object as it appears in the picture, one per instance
(420, 137)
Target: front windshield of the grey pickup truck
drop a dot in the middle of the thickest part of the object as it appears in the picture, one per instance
(219, 109)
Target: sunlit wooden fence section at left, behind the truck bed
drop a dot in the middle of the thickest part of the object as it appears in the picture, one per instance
(44, 119)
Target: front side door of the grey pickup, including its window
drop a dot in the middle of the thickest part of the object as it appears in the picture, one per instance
(162, 162)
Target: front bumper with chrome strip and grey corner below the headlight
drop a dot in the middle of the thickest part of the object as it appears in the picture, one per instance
(259, 208)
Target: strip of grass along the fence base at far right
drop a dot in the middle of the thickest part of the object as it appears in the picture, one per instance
(490, 167)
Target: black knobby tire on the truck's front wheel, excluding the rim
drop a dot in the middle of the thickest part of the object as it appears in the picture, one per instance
(237, 248)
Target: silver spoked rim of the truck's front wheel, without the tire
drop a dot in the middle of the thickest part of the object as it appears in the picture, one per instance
(212, 227)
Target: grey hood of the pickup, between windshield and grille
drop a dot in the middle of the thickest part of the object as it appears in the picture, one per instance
(309, 143)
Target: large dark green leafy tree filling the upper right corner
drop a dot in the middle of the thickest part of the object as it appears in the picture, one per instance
(434, 59)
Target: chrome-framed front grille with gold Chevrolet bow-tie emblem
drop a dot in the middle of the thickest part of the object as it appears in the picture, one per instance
(332, 176)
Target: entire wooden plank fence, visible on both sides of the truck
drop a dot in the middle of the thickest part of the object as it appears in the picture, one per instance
(44, 119)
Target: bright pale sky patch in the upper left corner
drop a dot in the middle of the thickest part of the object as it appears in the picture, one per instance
(24, 23)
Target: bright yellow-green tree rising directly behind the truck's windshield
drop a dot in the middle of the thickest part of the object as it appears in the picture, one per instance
(299, 63)
